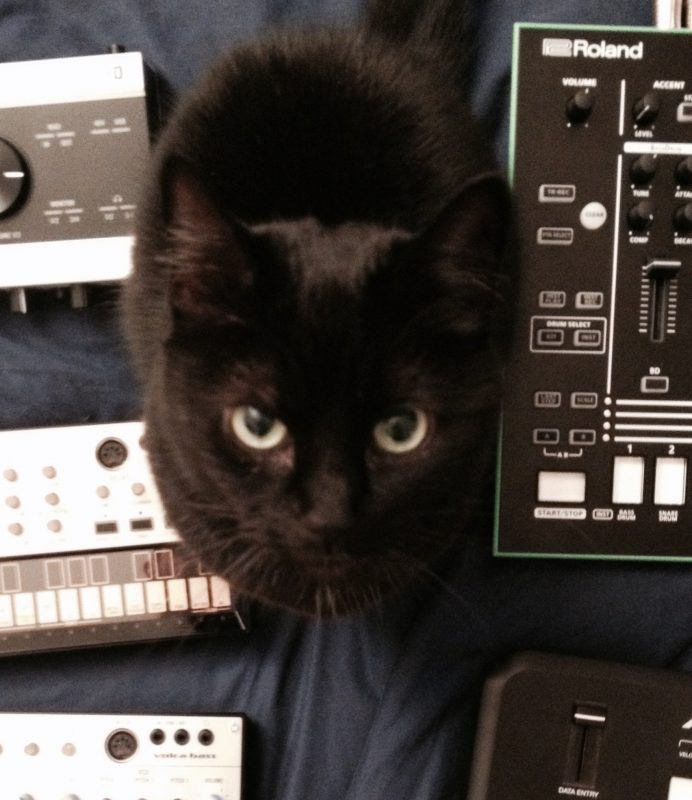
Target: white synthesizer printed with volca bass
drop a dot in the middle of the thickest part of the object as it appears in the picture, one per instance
(121, 757)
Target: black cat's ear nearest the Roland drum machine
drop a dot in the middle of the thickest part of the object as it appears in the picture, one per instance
(477, 225)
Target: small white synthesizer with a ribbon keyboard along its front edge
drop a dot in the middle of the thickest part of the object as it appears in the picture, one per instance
(86, 554)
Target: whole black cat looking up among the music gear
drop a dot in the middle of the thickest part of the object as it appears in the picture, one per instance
(316, 310)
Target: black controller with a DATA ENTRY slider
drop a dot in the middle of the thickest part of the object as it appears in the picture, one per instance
(554, 727)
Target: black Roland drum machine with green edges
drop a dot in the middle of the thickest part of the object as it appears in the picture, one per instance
(598, 406)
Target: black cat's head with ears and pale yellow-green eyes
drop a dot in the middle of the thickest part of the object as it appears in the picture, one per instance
(325, 412)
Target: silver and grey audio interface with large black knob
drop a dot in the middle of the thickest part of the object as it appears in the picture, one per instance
(74, 141)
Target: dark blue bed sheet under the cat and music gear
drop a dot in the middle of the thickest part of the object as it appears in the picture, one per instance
(380, 706)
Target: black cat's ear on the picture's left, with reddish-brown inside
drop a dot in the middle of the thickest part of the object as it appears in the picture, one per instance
(208, 253)
